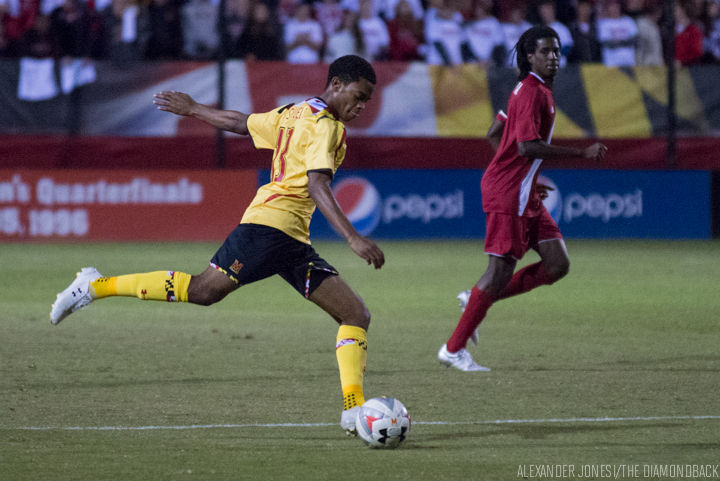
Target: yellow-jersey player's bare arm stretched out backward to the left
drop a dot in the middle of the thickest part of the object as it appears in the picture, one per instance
(181, 103)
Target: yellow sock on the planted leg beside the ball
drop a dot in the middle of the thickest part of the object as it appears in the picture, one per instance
(351, 352)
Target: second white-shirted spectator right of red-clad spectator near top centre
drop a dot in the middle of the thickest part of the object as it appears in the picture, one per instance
(485, 35)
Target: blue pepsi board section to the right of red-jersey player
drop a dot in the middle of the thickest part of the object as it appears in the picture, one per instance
(630, 204)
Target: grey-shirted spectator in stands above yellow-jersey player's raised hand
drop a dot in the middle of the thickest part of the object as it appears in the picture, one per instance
(201, 38)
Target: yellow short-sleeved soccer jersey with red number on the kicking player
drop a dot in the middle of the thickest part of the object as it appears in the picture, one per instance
(305, 137)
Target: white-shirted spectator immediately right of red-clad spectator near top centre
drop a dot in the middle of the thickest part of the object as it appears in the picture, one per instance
(447, 44)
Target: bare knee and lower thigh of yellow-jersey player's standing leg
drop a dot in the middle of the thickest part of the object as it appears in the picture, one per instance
(338, 299)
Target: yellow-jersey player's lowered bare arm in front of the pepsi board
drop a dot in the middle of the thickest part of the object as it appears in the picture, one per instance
(320, 192)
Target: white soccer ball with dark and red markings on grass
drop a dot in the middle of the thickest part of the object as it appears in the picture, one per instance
(383, 422)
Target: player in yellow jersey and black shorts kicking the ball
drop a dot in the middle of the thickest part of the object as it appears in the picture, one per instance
(308, 140)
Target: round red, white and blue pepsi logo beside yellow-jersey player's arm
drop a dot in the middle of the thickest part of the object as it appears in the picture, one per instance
(361, 203)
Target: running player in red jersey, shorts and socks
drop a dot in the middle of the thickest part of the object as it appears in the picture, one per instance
(516, 219)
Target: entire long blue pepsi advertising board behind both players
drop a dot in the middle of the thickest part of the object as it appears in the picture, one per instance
(427, 204)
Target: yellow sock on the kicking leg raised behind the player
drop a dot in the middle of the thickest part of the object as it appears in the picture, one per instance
(168, 286)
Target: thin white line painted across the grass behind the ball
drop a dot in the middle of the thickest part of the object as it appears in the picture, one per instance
(312, 425)
